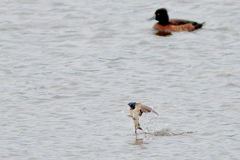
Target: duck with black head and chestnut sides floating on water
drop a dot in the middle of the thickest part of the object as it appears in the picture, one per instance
(173, 25)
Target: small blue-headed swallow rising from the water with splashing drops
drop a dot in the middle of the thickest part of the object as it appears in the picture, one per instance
(136, 110)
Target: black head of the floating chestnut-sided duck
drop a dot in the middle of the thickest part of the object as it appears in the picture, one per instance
(161, 16)
